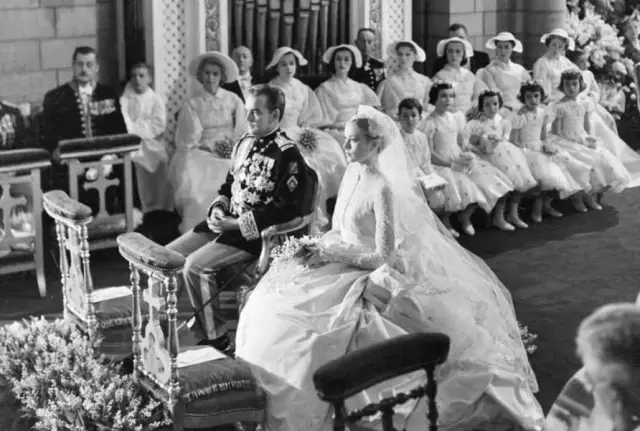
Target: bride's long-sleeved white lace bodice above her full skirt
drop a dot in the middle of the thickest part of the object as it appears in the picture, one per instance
(363, 222)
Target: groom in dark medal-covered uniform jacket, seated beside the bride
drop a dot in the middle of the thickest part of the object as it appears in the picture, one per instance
(265, 186)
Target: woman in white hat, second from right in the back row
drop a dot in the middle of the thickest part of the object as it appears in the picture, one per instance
(504, 74)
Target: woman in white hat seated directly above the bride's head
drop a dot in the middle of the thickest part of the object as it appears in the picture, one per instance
(340, 95)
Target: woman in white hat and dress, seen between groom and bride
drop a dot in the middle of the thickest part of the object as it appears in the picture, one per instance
(302, 111)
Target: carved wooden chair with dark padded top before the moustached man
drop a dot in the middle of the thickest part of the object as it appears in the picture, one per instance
(80, 155)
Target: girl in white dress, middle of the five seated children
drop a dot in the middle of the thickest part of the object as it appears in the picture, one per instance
(489, 135)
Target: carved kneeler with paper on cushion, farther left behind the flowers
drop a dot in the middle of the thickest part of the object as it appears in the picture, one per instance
(104, 313)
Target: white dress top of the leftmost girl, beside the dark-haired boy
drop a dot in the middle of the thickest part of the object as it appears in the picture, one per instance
(443, 134)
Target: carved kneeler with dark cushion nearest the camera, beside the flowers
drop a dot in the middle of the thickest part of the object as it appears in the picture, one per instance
(203, 387)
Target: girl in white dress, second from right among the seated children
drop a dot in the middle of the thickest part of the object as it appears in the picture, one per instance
(551, 167)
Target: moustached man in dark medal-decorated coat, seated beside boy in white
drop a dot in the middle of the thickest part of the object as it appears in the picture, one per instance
(82, 108)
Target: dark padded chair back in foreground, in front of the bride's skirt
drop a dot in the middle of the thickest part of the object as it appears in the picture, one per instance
(361, 369)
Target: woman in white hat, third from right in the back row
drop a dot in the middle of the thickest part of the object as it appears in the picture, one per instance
(465, 83)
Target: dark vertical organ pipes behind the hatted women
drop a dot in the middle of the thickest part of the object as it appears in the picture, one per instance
(310, 26)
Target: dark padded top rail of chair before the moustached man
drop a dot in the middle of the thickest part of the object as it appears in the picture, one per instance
(97, 146)
